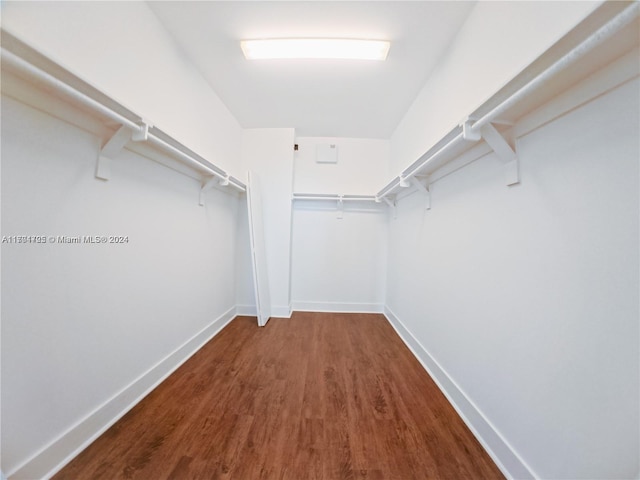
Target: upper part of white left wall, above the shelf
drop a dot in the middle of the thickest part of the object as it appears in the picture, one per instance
(122, 49)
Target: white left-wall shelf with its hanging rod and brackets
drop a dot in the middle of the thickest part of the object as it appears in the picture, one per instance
(124, 127)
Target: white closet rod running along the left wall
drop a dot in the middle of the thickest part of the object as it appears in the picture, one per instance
(33, 72)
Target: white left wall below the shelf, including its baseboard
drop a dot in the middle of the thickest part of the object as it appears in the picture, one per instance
(87, 329)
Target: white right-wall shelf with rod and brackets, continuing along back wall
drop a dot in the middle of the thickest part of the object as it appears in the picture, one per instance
(603, 37)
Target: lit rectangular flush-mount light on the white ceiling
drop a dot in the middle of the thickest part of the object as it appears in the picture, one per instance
(327, 48)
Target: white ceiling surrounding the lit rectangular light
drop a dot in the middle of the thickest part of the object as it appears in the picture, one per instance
(317, 97)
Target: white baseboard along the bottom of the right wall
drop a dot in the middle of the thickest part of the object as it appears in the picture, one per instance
(509, 462)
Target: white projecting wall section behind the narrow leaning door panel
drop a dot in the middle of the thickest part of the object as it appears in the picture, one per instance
(269, 153)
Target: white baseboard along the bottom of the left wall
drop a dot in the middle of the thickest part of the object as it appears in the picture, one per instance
(62, 450)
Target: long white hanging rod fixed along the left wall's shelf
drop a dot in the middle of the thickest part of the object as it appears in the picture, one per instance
(133, 122)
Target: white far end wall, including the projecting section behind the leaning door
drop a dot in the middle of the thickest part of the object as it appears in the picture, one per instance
(335, 264)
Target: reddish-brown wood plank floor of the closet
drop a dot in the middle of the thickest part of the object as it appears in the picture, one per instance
(317, 396)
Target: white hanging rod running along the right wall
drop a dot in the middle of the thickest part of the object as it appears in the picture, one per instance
(617, 23)
